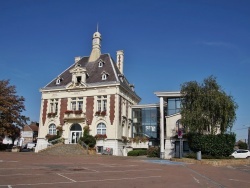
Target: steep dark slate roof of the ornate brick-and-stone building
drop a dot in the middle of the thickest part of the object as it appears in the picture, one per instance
(94, 73)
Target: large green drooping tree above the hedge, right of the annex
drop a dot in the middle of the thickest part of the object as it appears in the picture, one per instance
(206, 107)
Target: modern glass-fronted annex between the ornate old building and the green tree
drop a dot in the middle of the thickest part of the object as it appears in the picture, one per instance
(146, 121)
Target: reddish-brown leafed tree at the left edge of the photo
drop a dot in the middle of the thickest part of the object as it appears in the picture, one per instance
(11, 107)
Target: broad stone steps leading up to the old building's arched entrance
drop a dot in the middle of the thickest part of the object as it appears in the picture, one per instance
(64, 149)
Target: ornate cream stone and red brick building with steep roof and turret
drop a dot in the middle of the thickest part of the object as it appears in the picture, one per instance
(92, 92)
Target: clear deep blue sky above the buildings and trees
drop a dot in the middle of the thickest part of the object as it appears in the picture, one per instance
(166, 43)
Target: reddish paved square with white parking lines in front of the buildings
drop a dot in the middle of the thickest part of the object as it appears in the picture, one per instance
(37, 170)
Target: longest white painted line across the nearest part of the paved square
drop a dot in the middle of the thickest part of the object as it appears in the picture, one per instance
(85, 181)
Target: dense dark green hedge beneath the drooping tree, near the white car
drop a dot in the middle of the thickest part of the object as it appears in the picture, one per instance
(220, 145)
